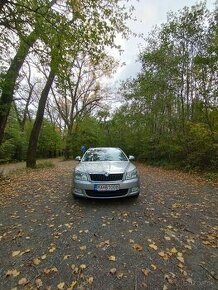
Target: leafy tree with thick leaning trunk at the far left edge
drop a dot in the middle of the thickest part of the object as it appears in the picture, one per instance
(26, 42)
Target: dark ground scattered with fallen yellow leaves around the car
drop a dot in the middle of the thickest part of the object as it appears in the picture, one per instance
(167, 239)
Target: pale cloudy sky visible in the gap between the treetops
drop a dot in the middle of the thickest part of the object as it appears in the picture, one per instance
(148, 13)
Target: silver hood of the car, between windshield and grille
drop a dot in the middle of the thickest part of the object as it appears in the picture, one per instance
(96, 167)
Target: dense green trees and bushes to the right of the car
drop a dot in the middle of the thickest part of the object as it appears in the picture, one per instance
(170, 110)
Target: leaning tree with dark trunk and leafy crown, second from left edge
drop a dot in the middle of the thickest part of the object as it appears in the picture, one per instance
(85, 32)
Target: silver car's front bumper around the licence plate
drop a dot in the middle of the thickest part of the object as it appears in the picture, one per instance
(86, 189)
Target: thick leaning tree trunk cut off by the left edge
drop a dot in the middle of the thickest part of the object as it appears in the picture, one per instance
(10, 80)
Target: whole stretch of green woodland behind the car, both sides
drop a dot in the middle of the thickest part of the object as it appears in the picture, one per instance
(55, 60)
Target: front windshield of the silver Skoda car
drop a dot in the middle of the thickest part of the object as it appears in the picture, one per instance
(104, 154)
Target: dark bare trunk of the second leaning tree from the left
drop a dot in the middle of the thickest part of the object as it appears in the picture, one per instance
(34, 136)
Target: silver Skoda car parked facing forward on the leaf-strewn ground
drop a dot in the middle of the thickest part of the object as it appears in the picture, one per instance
(105, 173)
